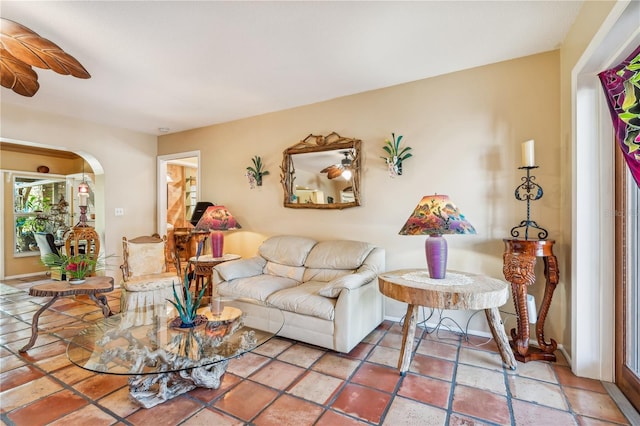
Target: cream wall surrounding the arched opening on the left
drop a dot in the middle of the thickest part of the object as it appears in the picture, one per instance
(124, 163)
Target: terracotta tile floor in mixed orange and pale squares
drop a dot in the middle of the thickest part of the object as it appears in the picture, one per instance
(451, 381)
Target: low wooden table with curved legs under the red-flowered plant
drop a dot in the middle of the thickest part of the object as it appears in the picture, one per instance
(57, 289)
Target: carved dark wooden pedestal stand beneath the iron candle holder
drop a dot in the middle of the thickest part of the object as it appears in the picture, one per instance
(519, 269)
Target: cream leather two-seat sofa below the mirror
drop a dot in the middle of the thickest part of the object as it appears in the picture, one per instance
(328, 290)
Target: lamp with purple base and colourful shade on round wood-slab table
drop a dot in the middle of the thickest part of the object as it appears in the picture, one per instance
(436, 215)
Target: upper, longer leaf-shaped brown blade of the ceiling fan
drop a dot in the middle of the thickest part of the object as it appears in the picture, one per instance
(28, 47)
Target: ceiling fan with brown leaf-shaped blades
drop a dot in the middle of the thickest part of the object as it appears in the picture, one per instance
(21, 48)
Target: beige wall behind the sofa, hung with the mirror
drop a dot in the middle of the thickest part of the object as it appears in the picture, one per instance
(465, 129)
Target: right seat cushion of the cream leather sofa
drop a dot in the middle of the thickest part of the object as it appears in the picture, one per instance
(304, 299)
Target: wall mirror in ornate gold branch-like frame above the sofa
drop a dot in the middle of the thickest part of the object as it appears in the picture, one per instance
(322, 172)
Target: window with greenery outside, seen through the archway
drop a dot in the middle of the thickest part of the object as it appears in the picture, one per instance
(39, 205)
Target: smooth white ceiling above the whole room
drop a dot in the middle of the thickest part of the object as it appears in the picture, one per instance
(188, 64)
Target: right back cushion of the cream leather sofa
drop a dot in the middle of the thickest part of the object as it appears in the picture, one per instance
(342, 254)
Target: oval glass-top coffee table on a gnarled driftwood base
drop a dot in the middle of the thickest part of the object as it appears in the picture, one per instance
(164, 361)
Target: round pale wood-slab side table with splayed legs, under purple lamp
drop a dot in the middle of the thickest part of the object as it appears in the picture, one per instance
(458, 290)
